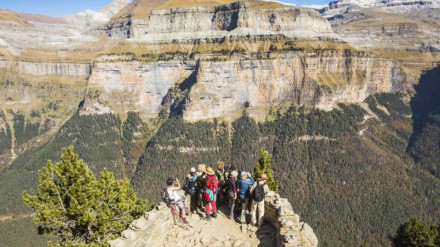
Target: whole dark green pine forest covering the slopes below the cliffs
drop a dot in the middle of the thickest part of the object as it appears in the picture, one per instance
(354, 174)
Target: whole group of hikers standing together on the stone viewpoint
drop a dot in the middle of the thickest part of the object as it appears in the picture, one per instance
(206, 190)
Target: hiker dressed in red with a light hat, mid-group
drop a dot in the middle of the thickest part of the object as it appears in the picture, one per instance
(210, 185)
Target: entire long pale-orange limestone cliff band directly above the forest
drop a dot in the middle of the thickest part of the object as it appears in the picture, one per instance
(220, 87)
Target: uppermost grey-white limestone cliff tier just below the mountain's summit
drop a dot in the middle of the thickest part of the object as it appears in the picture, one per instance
(240, 18)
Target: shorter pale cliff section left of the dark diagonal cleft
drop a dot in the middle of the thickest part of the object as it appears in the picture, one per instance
(133, 85)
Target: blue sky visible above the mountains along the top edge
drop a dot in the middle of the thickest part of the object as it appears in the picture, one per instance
(61, 7)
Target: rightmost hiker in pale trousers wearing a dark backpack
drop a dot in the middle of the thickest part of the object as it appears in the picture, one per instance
(258, 191)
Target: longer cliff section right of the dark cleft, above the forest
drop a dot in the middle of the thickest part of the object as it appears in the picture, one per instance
(315, 78)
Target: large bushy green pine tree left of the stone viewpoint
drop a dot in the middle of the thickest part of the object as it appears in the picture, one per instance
(79, 209)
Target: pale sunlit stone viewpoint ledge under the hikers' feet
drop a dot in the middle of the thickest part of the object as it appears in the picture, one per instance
(156, 228)
